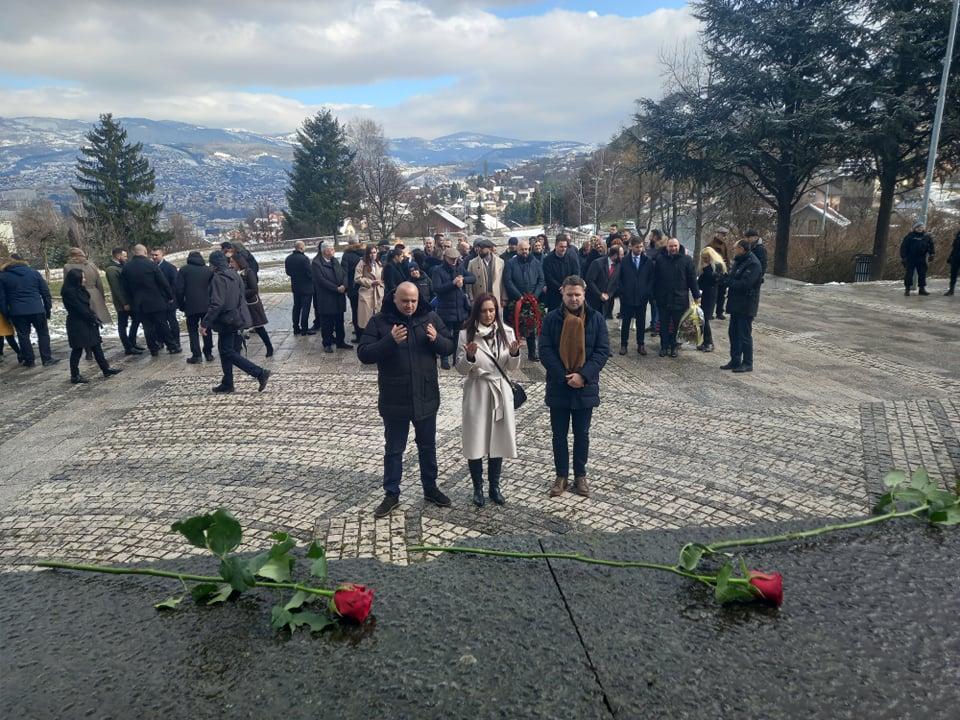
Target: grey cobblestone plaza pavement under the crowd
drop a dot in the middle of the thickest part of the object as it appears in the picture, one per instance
(850, 381)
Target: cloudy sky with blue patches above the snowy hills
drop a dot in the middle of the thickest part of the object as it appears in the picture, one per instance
(563, 70)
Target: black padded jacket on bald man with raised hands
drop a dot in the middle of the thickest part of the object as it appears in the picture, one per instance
(406, 373)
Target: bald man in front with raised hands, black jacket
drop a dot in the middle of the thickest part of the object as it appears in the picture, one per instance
(404, 340)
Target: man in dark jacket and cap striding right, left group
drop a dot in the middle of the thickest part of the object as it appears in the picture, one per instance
(227, 314)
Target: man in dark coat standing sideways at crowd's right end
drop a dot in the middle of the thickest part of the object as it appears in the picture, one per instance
(743, 301)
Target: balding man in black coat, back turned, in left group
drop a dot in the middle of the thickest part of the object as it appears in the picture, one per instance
(150, 297)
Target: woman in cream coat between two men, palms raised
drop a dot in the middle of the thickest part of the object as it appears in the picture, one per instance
(488, 424)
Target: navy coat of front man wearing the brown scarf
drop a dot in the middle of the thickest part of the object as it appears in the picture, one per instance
(558, 393)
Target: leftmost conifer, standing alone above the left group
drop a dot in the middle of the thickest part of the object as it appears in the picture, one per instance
(115, 183)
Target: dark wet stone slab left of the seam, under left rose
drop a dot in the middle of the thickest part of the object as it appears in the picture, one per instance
(458, 637)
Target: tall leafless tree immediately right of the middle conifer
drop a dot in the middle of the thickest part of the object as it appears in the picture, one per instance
(381, 185)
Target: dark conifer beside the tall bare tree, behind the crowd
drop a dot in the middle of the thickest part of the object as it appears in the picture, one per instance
(321, 192)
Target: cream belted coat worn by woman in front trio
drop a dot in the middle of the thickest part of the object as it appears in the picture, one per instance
(488, 426)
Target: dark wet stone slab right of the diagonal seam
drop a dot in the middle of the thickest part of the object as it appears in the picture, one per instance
(867, 629)
